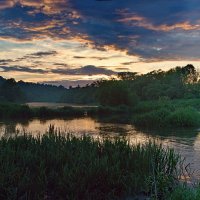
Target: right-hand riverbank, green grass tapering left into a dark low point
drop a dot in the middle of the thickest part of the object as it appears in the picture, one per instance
(163, 113)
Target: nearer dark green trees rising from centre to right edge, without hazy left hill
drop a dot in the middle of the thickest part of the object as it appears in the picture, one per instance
(130, 87)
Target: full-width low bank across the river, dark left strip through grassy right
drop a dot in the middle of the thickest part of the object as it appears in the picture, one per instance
(161, 113)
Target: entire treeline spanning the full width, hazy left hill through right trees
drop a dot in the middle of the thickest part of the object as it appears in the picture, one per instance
(127, 89)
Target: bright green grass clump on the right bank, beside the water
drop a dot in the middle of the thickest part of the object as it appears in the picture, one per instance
(168, 113)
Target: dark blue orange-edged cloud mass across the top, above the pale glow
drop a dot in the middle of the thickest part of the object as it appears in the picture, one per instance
(158, 30)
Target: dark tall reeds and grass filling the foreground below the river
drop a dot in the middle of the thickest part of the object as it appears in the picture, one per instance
(54, 166)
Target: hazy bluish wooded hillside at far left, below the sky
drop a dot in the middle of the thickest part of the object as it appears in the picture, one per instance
(12, 91)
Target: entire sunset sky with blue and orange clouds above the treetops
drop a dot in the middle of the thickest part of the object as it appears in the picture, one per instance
(72, 42)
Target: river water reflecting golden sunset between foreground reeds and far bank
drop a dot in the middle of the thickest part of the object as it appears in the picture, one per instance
(184, 141)
